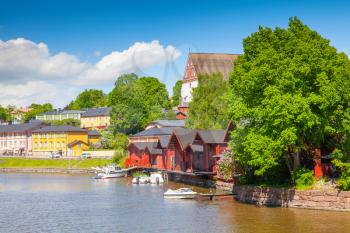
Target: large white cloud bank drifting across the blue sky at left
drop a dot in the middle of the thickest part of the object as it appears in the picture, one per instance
(29, 73)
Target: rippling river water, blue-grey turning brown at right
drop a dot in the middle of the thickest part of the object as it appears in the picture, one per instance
(78, 203)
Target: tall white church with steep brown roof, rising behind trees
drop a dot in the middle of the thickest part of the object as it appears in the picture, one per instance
(202, 63)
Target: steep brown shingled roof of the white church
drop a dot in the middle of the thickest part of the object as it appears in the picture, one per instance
(209, 63)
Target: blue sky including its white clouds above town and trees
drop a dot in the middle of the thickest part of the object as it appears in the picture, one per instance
(51, 50)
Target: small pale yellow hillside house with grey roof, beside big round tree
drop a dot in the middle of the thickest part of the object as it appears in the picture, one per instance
(95, 118)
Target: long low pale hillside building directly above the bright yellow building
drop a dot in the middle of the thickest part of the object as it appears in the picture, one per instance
(59, 115)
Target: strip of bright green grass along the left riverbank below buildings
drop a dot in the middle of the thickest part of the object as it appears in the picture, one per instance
(52, 163)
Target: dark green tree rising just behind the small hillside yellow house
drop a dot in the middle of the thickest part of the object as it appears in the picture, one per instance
(91, 98)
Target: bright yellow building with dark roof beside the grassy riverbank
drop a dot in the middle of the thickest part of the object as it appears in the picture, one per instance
(65, 140)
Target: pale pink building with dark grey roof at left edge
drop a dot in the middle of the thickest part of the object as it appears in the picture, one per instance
(17, 139)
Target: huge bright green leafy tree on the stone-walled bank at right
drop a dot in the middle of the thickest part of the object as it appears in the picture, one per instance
(290, 94)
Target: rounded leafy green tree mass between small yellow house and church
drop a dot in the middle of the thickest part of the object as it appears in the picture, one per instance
(135, 102)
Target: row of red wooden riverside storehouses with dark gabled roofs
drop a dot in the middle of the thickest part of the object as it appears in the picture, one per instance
(178, 149)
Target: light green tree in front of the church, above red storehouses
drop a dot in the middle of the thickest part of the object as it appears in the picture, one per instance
(209, 106)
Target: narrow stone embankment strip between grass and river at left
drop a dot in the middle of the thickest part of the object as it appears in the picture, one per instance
(47, 170)
